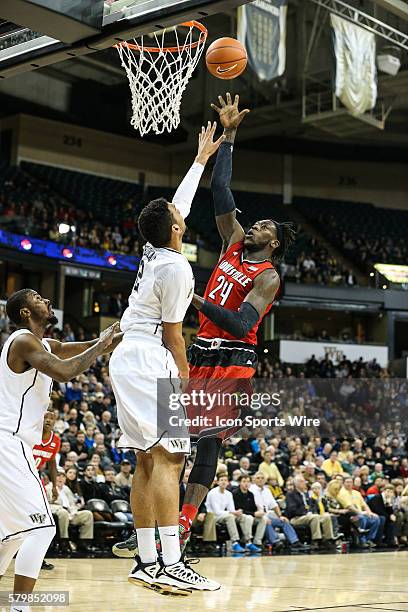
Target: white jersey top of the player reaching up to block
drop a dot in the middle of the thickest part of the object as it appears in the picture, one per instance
(162, 291)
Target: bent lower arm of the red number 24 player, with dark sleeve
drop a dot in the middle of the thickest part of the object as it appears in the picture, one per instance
(238, 324)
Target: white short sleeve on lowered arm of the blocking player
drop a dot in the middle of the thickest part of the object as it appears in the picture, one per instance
(176, 290)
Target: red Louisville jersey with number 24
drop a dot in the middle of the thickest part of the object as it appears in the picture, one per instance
(230, 283)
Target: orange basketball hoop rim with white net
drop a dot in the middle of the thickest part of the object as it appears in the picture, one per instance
(159, 75)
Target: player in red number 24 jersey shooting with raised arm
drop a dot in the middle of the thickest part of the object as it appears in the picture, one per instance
(240, 292)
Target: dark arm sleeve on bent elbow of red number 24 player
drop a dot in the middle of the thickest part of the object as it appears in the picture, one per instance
(238, 324)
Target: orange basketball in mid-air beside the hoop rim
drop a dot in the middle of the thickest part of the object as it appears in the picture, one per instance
(226, 58)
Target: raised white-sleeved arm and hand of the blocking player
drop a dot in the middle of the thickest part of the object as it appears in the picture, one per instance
(183, 198)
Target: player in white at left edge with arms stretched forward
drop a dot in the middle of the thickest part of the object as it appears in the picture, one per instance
(28, 364)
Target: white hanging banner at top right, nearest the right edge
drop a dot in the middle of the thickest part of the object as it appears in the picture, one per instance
(356, 72)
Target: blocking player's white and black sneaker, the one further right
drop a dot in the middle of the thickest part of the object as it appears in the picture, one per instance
(180, 579)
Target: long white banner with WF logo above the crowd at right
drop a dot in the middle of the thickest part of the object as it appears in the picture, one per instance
(294, 351)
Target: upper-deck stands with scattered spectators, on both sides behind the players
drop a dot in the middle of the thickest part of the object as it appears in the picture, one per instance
(103, 212)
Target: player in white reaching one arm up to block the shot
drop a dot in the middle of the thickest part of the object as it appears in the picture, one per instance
(153, 352)
